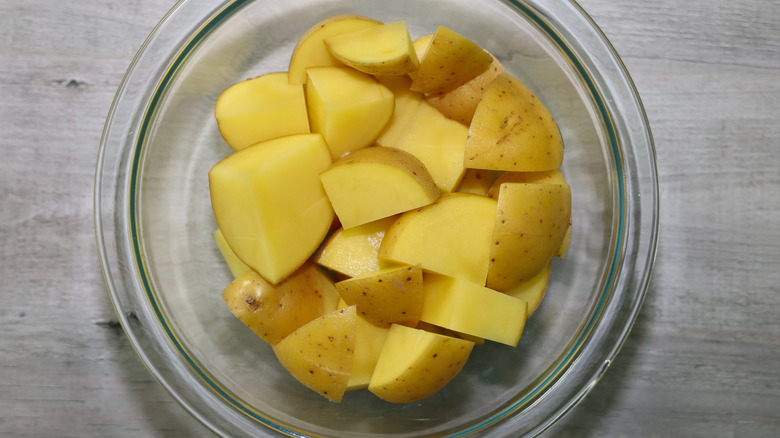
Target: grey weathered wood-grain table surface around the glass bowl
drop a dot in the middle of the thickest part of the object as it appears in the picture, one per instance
(703, 359)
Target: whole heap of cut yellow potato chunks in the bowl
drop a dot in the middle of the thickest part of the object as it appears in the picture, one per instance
(390, 204)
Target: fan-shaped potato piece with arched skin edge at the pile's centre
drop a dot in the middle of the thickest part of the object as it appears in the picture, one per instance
(377, 182)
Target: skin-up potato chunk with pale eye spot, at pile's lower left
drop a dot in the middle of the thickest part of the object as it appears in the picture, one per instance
(275, 311)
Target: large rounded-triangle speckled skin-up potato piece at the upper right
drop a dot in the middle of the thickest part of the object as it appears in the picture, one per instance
(512, 130)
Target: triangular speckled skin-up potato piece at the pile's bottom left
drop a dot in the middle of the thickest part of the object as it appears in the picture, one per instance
(320, 353)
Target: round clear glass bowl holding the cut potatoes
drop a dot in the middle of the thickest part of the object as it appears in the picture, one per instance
(165, 274)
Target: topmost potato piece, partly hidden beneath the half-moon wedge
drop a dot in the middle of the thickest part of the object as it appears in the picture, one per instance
(311, 51)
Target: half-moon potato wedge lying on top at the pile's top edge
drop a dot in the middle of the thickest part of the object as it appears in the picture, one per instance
(378, 50)
